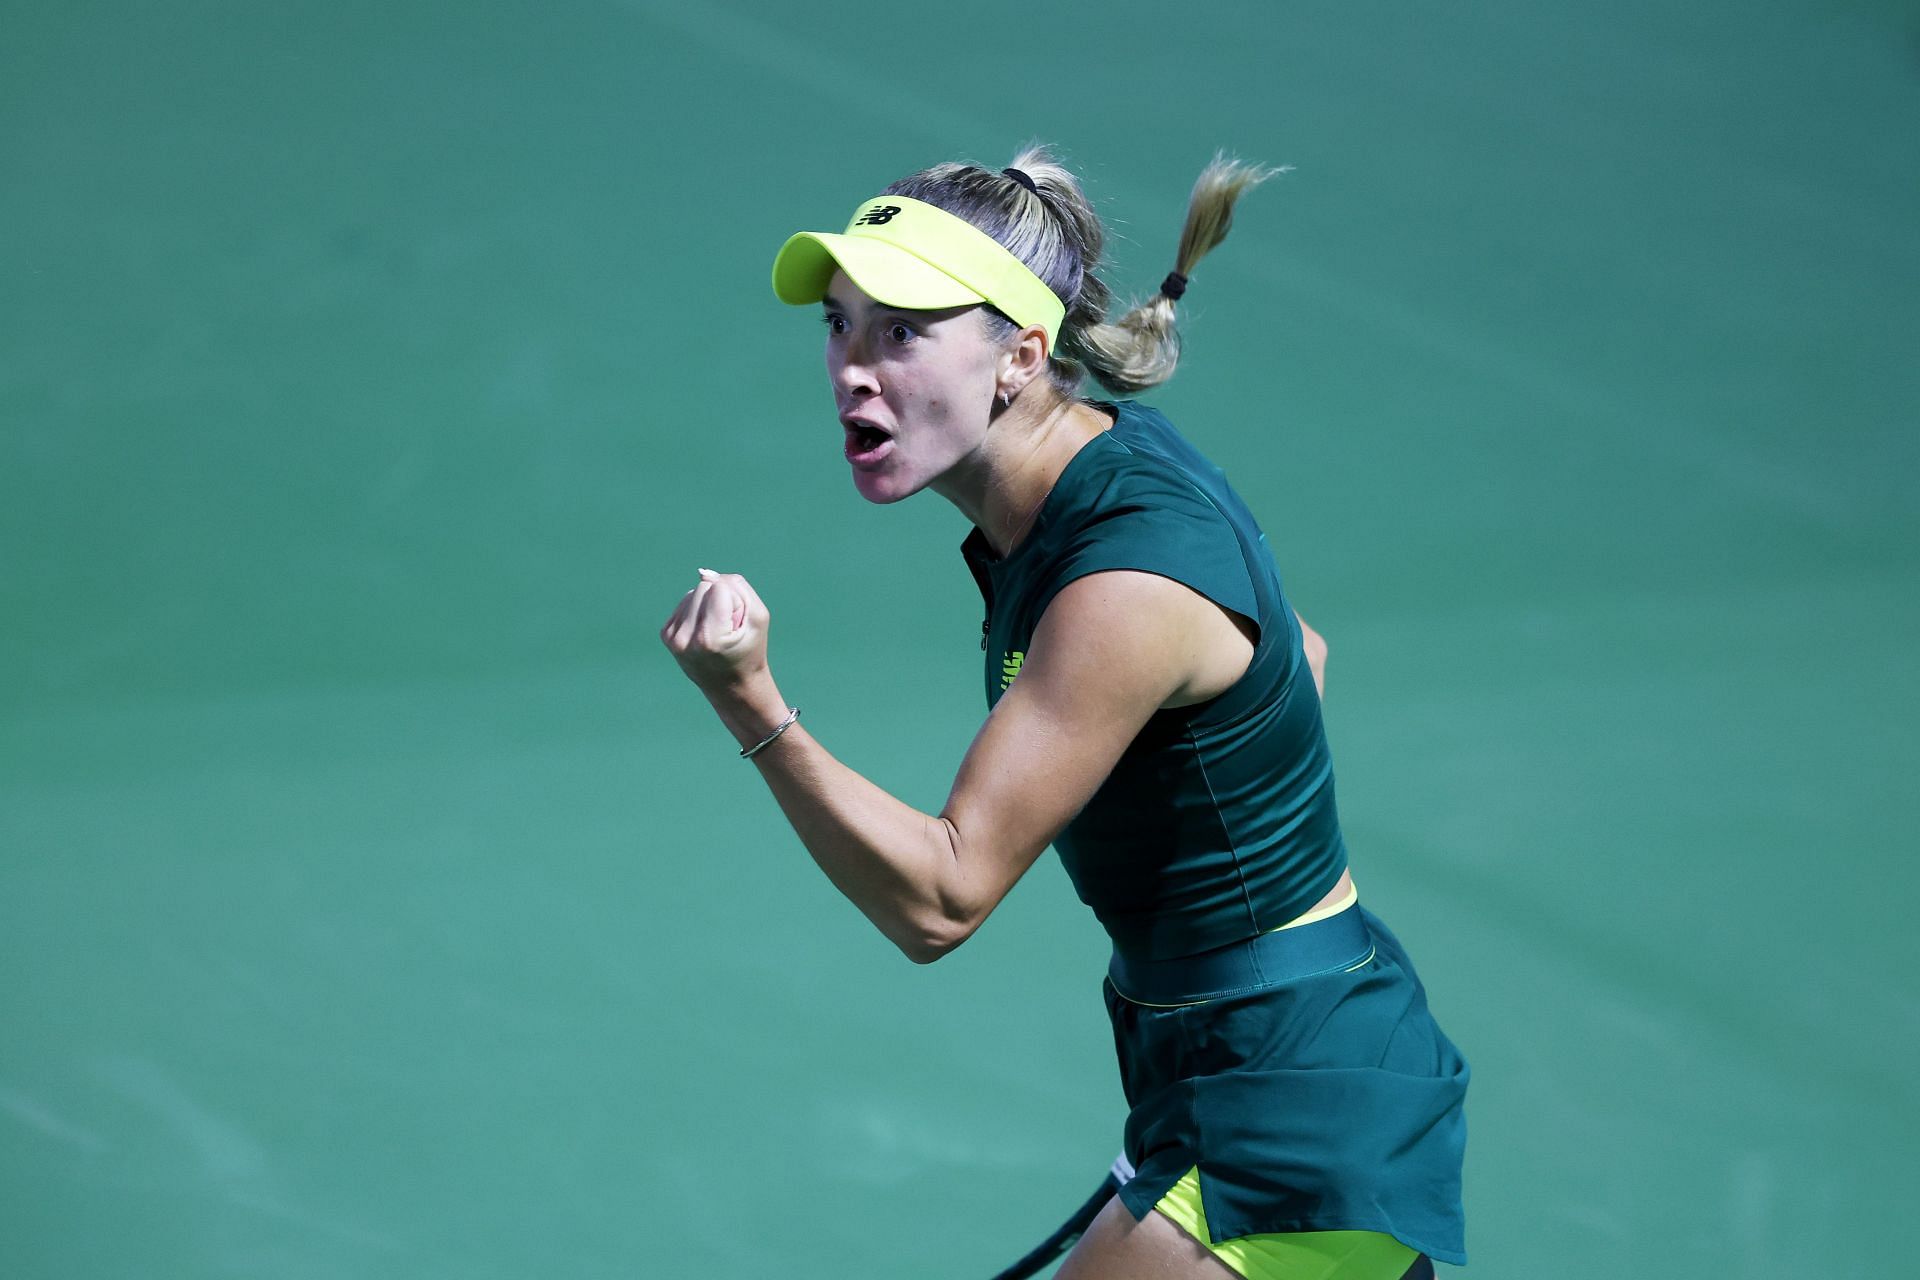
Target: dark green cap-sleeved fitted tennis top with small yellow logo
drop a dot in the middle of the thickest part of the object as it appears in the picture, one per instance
(1218, 822)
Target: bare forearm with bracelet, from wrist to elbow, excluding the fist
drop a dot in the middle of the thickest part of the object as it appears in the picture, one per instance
(892, 861)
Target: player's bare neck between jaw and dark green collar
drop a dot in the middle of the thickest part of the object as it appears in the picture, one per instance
(1001, 490)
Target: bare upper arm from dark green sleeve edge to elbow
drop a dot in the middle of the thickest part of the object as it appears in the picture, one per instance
(1111, 652)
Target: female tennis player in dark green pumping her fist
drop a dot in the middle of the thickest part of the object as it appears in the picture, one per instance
(1153, 715)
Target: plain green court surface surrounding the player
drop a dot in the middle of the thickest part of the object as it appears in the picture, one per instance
(375, 897)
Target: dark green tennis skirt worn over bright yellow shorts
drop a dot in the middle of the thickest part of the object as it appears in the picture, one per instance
(1316, 1095)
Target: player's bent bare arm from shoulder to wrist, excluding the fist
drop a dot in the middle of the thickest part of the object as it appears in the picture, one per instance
(1109, 653)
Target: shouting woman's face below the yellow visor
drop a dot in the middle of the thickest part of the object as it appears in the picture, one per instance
(915, 389)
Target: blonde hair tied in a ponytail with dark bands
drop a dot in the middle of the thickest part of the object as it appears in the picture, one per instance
(1055, 231)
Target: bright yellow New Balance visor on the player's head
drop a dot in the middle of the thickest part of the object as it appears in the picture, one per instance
(909, 254)
